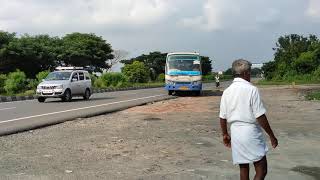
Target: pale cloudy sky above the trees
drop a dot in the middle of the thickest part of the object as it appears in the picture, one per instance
(224, 30)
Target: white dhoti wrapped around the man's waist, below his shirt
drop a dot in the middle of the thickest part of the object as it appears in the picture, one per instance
(247, 142)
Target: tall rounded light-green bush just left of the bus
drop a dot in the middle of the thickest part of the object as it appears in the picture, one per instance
(136, 72)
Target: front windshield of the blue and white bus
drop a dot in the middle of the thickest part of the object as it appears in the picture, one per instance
(184, 63)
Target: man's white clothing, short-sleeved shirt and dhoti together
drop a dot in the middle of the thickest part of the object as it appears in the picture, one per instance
(240, 106)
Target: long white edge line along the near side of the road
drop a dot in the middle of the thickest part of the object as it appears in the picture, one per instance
(77, 109)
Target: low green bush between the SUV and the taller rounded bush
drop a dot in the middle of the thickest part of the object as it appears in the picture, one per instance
(113, 79)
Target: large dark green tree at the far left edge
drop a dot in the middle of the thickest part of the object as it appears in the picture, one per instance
(31, 54)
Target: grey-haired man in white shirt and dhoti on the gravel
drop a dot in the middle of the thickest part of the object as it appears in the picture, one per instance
(242, 107)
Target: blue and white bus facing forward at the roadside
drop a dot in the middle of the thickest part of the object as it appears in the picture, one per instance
(183, 72)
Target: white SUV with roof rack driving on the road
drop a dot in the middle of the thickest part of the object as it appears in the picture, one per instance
(65, 83)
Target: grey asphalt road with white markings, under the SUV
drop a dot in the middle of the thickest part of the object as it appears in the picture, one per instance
(26, 115)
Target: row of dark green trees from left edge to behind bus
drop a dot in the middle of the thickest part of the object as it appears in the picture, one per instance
(35, 53)
